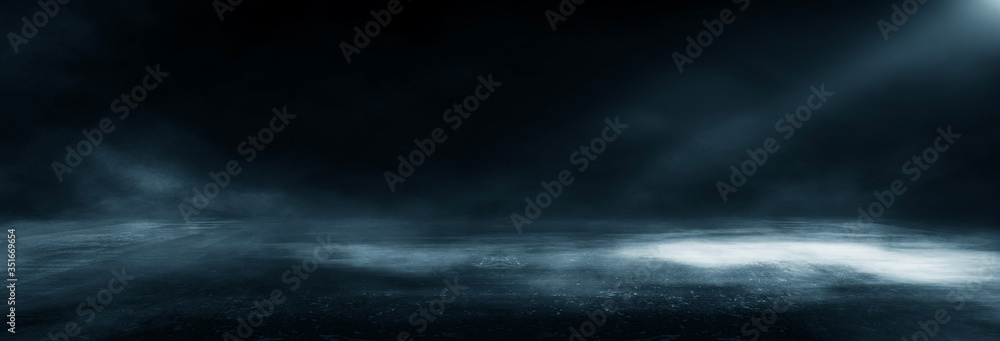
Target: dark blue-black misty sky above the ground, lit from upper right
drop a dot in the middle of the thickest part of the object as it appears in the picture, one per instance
(608, 59)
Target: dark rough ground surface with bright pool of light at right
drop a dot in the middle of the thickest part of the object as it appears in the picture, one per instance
(677, 281)
